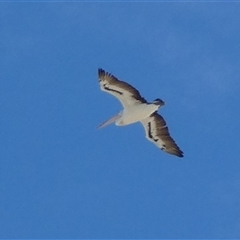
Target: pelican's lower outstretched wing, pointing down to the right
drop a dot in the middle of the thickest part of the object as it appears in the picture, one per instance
(157, 132)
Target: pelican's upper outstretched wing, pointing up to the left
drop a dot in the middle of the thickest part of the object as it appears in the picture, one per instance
(126, 93)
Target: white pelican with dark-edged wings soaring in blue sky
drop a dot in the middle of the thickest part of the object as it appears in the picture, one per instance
(137, 109)
